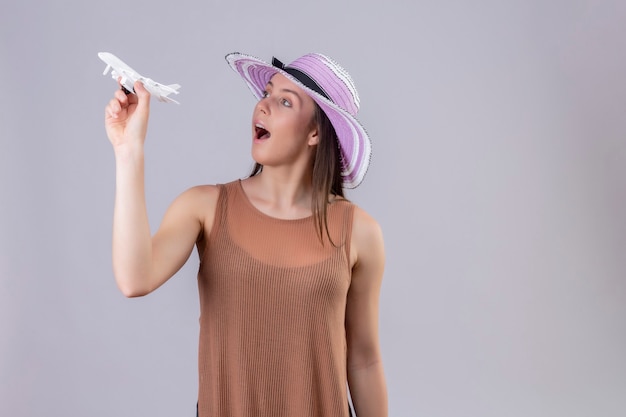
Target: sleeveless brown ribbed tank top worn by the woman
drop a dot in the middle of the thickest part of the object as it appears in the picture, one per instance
(272, 313)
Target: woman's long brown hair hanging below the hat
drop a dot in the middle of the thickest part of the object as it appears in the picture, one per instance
(326, 178)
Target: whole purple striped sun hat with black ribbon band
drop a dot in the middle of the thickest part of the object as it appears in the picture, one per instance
(332, 89)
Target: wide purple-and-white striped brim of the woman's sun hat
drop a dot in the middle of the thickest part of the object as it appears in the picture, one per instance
(354, 142)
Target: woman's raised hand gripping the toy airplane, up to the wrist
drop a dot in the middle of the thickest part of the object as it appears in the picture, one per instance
(126, 117)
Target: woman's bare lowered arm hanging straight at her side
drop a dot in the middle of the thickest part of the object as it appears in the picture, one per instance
(366, 377)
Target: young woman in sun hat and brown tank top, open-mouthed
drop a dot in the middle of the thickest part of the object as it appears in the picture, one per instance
(290, 271)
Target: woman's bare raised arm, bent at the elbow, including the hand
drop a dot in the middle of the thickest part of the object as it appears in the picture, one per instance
(142, 263)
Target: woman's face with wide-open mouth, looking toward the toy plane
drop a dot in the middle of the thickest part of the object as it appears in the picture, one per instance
(283, 128)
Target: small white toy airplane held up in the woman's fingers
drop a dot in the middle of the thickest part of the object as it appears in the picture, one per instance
(129, 76)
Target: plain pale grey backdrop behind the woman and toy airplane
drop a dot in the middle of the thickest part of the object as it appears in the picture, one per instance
(498, 177)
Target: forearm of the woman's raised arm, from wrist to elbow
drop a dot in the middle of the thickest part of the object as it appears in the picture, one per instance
(132, 244)
